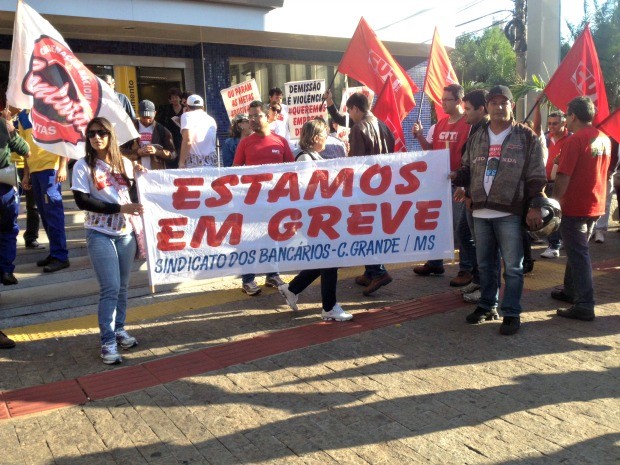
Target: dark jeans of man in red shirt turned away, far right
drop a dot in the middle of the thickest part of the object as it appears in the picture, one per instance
(576, 232)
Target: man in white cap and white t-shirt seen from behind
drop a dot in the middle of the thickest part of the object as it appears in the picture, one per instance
(198, 130)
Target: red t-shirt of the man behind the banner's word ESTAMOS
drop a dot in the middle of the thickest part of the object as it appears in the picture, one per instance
(262, 150)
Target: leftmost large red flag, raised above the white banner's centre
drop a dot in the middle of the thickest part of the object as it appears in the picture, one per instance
(367, 60)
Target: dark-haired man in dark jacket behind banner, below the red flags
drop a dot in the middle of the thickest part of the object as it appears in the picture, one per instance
(369, 136)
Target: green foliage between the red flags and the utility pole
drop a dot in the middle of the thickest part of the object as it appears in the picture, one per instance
(488, 59)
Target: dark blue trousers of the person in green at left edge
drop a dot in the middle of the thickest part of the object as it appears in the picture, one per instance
(9, 209)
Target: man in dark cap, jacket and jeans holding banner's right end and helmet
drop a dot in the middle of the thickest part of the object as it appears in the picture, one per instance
(503, 167)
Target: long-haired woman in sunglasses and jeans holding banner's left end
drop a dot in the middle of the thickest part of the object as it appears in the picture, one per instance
(101, 186)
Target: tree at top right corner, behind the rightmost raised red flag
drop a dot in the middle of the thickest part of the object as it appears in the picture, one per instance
(604, 19)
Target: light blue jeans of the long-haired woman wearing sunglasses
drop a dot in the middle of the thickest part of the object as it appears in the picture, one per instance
(111, 257)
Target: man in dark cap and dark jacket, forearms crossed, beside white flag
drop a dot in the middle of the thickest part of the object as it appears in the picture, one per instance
(155, 146)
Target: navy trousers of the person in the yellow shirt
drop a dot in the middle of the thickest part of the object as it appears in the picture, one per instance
(48, 197)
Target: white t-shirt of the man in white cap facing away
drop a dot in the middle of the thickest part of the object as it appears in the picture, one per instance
(202, 144)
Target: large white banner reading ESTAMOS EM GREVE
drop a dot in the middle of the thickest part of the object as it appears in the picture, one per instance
(208, 222)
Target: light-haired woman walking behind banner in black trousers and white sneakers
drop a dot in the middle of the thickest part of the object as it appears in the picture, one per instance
(312, 141)
